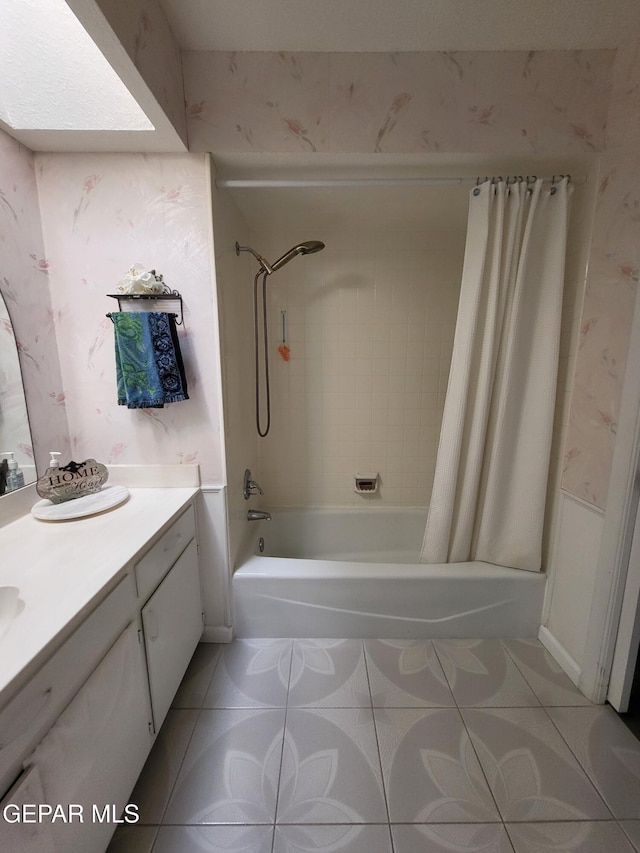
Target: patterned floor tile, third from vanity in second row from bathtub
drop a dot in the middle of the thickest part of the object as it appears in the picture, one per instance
(330, 768)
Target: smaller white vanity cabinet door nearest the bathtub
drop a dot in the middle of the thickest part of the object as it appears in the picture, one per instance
(172, 620)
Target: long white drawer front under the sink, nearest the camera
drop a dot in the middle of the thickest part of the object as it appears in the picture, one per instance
(25, 719)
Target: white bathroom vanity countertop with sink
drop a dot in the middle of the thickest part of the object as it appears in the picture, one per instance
(63, 569)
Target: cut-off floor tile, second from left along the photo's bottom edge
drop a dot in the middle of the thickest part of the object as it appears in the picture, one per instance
(214, 839)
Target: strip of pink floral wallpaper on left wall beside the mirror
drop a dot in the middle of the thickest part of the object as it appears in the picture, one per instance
(24, 282)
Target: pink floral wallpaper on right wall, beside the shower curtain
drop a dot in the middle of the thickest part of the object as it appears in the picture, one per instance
(612, 283)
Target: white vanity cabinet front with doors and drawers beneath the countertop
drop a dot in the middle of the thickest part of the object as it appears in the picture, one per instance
(78, 732)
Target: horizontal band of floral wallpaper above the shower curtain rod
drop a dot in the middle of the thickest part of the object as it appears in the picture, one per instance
(503, 102)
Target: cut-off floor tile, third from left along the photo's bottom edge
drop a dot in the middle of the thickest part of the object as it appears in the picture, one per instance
(350, 838)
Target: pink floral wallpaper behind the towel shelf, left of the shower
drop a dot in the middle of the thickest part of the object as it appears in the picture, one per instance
(101, 214)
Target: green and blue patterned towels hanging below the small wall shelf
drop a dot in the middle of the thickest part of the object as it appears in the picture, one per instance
(149, 368)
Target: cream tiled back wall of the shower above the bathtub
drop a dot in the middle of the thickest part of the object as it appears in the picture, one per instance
(369, 324)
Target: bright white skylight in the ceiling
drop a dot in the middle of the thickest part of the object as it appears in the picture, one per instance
(53, 77)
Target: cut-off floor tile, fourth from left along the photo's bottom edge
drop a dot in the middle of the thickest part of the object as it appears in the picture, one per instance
(451, 838)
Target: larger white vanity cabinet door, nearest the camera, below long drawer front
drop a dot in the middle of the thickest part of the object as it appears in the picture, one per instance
(92, 756)
